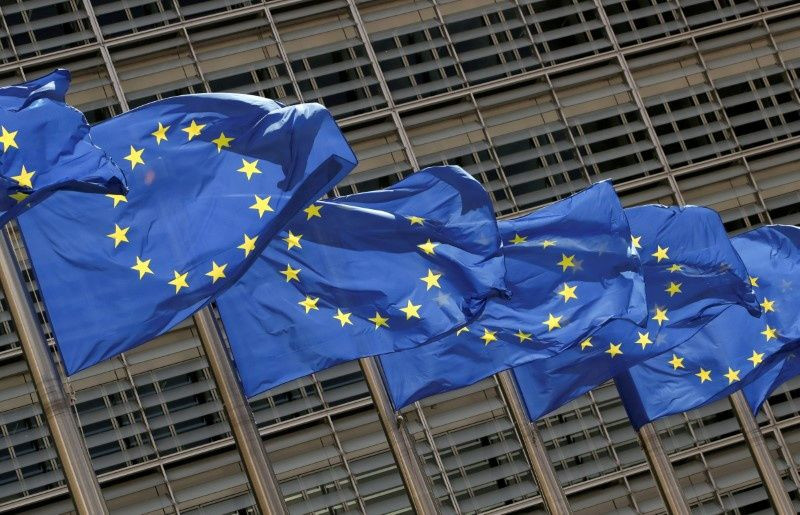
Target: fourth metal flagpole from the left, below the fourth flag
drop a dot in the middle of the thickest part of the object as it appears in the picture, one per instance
(552, 494)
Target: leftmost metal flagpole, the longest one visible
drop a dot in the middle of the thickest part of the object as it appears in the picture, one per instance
(70, 446)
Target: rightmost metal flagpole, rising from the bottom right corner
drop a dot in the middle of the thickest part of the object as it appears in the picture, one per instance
(758, 448)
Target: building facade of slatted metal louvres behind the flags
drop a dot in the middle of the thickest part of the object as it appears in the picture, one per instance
(677, 101)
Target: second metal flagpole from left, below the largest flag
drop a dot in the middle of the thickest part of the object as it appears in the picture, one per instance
(245, 432)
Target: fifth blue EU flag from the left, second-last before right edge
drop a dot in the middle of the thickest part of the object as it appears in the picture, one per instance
(691, 273)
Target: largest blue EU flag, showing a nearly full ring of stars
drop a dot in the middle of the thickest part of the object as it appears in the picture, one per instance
(212, 179)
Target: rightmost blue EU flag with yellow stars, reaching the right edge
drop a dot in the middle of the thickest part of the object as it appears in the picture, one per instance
(731, 350)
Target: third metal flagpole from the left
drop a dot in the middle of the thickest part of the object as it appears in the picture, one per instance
(419, 488)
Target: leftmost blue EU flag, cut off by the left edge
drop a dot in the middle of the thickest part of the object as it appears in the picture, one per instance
(46, 147)
